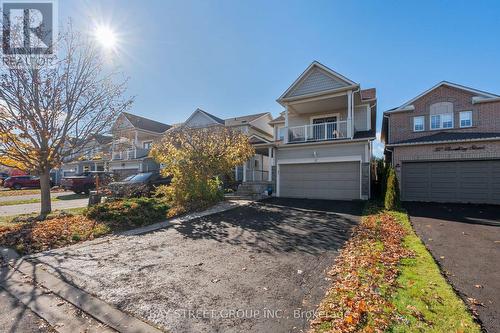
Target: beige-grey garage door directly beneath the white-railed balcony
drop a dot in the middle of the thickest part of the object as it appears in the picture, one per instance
(334, 181)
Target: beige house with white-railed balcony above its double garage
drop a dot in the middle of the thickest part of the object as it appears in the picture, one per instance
(322, 141)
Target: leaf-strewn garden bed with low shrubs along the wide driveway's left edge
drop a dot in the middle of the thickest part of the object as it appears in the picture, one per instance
(28, 235)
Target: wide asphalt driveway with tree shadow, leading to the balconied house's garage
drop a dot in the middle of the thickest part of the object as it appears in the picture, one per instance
(256, 268)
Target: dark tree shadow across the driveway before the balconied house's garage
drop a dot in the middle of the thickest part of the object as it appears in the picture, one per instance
(267, 228)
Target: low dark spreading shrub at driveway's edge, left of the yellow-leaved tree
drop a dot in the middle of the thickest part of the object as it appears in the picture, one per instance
(129, 213)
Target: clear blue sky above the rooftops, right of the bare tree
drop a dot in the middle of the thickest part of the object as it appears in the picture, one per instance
(237, 57)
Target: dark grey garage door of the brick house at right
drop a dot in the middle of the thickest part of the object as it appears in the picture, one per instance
(464, 181)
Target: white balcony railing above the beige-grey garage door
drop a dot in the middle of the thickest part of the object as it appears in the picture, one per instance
(318, 132)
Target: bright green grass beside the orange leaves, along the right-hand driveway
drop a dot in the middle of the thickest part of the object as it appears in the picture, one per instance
(424, 289)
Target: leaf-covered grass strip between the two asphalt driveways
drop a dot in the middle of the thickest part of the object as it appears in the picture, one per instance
(385, 280)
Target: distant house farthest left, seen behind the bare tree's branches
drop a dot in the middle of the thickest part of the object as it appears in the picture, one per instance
(94, 156)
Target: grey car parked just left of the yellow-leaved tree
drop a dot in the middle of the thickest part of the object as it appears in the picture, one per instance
(141, 184)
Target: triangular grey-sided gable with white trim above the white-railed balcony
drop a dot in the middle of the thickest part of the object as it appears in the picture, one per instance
(317, 78)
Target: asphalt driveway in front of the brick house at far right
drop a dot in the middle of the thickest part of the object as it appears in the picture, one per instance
(465, 240)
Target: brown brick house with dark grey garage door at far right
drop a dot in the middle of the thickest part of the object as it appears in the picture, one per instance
(445, 145)
